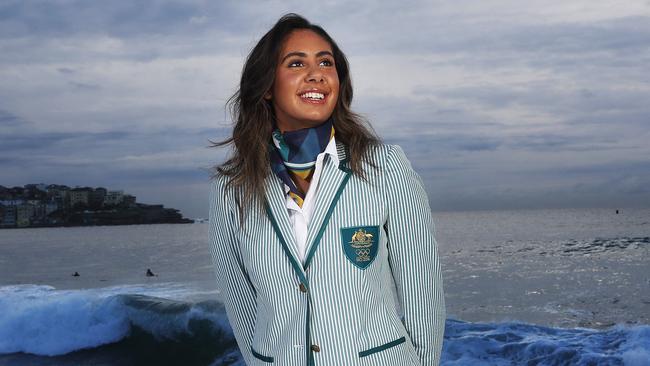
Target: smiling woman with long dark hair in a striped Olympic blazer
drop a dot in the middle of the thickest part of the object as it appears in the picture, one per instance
(321, 236)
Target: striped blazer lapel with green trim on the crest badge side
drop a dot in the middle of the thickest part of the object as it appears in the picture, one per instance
(333, 178)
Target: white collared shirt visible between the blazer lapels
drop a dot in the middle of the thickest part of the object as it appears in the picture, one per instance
(300, 216)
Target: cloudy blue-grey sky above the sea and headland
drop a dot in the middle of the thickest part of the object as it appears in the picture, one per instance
(497, 104)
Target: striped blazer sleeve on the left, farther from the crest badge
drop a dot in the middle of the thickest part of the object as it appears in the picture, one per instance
(236, 290)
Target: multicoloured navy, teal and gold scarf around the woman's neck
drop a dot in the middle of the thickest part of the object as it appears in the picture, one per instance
(295, 152)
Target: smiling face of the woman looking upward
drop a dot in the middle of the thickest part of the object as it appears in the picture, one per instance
(306, 85)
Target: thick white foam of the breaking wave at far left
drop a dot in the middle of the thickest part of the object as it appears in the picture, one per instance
(44, 321)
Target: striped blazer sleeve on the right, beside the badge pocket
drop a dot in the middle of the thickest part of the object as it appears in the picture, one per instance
(413, 257)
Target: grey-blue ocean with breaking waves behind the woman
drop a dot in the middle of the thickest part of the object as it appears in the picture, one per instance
(522, 287)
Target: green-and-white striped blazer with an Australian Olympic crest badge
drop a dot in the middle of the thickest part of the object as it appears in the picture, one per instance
(370, 289)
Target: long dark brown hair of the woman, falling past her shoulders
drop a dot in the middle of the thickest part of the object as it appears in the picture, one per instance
(252, 115)
